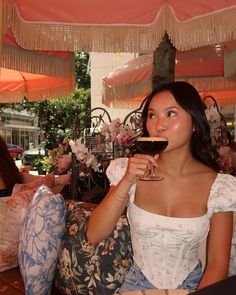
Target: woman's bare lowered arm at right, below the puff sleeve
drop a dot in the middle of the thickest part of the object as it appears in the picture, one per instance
(218, 249)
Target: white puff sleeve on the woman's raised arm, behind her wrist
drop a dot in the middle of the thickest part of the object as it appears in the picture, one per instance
(116, 170)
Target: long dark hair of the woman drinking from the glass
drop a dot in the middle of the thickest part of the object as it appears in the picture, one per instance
(189, 99)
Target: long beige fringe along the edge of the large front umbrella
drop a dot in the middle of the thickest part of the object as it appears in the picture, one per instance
(201, 31)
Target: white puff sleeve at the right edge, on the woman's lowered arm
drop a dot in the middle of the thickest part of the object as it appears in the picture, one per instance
(223, 194)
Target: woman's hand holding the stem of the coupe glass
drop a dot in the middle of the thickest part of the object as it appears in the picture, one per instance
(138, 166)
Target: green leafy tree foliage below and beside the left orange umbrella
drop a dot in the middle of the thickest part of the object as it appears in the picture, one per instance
(58, 117)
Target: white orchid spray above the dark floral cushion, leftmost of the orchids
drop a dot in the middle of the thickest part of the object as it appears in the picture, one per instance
(84, 156)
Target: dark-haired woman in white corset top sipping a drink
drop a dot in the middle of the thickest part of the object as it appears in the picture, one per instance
(169, 218)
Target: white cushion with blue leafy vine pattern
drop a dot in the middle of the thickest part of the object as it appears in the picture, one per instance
(40, 240)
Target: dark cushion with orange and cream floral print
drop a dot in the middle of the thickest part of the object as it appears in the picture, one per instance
(84, 268)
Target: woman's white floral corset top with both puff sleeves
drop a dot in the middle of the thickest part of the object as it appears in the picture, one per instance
(166, 248)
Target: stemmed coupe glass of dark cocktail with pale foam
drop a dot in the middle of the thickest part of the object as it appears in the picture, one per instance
(152, 146)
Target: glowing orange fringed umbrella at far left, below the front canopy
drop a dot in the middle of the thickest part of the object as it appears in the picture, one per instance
(36, 75)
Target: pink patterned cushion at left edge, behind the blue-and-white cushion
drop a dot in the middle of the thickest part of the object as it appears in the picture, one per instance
(12, 213)
